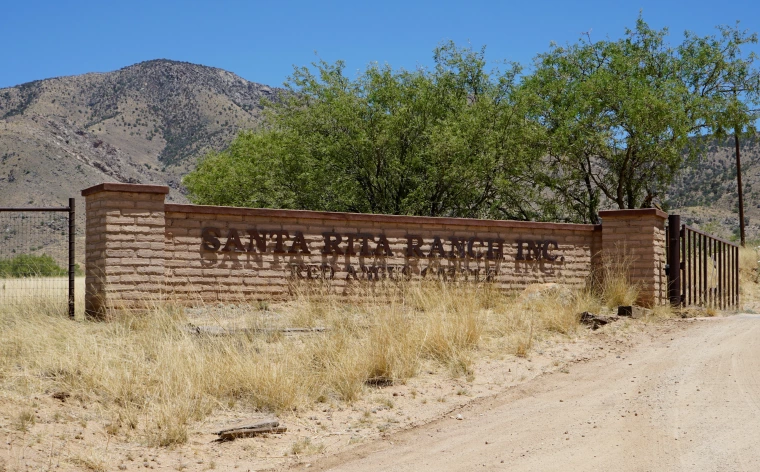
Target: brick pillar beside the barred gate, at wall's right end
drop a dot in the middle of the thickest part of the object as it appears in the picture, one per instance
(638, 237)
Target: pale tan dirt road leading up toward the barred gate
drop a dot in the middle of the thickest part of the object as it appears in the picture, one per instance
(689, 401)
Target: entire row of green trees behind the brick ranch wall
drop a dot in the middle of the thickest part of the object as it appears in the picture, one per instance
(592, 125)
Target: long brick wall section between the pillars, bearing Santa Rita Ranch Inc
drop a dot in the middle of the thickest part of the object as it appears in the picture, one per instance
(228, 275)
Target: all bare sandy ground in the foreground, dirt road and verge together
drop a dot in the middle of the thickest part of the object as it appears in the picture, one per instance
(672, 395)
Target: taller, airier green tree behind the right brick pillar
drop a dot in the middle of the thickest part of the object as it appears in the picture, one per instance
(621, 116)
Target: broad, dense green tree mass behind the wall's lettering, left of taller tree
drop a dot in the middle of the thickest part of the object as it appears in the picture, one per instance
(450, 141)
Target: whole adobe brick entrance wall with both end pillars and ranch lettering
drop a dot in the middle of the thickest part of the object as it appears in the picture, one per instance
(140, 250)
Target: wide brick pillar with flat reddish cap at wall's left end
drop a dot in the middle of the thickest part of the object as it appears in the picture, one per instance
(124, 246)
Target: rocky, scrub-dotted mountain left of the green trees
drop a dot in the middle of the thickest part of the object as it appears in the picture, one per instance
(146, 123)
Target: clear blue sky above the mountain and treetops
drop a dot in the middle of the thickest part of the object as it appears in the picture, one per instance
(262, 41)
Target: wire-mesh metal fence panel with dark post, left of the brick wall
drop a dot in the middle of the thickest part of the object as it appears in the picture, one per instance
(37, 253)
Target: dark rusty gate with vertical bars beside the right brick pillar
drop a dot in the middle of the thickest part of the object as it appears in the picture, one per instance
(702, 270)
